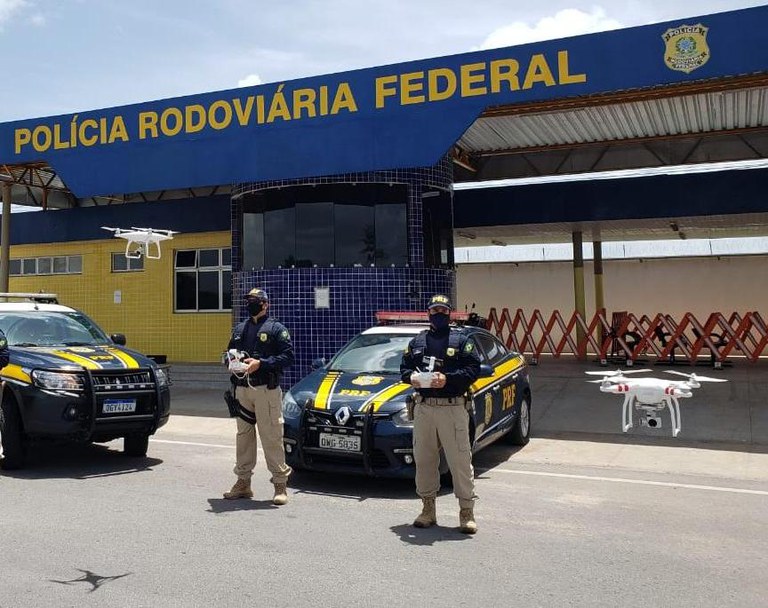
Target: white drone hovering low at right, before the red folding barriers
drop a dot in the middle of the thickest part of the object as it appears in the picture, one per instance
(650, 395)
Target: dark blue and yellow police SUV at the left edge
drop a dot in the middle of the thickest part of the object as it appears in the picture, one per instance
(66, 379)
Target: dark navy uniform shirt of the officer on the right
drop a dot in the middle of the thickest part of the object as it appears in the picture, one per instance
(455, 357)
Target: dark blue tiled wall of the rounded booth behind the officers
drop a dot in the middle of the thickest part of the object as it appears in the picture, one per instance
(356, 294)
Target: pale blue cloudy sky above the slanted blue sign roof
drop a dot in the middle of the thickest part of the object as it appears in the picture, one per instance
(66, 56)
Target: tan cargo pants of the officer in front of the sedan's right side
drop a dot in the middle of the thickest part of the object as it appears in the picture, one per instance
(446, 426)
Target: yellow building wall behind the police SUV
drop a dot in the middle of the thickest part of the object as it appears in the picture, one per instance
(145, 310)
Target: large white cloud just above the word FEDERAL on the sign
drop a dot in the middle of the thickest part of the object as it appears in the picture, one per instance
(567, 22)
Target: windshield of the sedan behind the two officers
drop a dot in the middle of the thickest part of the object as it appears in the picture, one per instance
(380, 353)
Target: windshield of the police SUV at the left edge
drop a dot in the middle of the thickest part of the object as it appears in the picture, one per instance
(50, 328)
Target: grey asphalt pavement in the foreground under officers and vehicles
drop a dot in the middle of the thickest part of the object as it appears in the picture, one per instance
(562, 523)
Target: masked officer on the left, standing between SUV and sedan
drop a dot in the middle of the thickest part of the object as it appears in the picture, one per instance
(269, 351)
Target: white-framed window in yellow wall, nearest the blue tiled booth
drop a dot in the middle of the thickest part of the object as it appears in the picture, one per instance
(203, 280)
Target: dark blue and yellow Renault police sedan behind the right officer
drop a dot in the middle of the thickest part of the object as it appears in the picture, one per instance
(350, 415)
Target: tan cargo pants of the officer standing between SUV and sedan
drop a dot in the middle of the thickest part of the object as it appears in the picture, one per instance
(267, 405)
